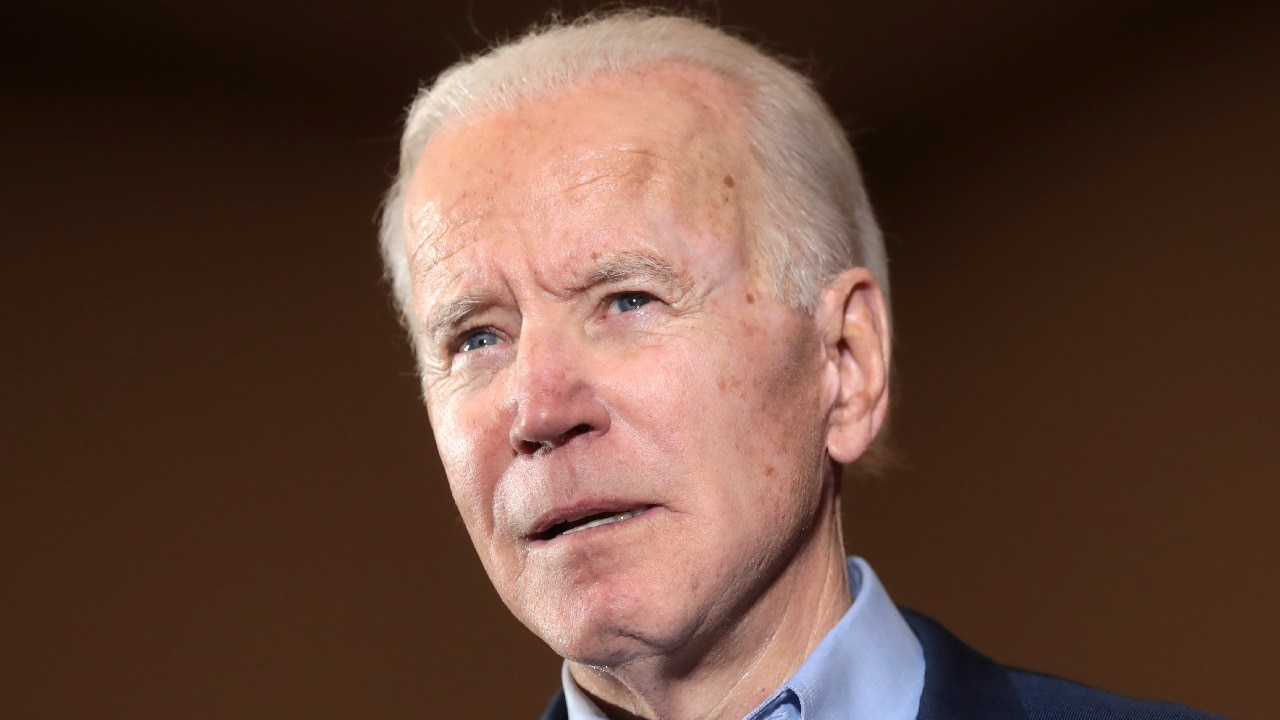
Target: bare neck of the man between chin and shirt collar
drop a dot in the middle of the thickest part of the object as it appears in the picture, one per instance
(751, 660)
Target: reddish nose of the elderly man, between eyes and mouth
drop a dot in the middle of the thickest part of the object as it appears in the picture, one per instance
(554, 391)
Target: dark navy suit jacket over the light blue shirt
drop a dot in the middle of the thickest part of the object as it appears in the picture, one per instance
(962, 685)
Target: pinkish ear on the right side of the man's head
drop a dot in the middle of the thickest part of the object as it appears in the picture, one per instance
(853, 318)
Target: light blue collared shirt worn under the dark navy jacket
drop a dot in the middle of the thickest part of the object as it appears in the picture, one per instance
(870, 667)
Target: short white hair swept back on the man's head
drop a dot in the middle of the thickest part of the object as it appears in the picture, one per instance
(815, 221)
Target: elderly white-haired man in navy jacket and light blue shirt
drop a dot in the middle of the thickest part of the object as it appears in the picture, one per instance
(650, 304)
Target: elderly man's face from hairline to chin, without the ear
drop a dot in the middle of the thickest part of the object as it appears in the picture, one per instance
(632, 425)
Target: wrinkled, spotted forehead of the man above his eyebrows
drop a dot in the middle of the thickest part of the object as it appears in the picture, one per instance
(668, 136)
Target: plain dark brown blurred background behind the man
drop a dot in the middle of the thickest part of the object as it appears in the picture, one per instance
(221, 495)
